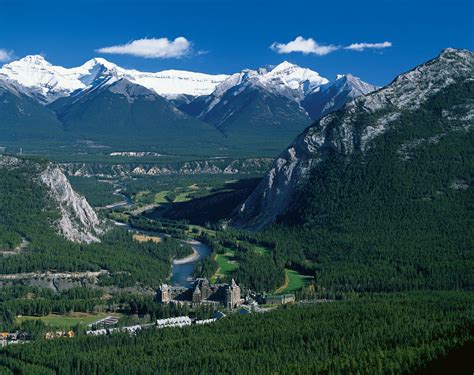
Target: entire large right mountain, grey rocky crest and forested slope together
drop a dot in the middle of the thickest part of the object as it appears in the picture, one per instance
(379, 195)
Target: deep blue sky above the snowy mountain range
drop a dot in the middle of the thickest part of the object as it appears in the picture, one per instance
(226, 36)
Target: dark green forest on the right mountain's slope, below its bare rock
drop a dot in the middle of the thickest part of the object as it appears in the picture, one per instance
(395, 216)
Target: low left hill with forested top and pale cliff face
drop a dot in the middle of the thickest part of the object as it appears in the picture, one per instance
(36, 197)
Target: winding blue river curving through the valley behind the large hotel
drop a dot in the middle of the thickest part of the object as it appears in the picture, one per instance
(181, 269)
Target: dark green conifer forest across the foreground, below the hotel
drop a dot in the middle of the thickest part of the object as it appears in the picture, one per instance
(378, 334)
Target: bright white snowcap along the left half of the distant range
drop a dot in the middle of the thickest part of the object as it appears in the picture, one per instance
(48, 82)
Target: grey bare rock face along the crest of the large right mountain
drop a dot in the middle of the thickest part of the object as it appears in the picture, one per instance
(353, 128)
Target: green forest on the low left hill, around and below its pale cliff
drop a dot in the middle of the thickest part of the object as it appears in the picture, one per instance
(29, 217)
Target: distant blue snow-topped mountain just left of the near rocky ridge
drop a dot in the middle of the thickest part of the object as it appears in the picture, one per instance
(259, 107)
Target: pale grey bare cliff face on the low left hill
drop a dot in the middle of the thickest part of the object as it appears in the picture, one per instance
(78, 221)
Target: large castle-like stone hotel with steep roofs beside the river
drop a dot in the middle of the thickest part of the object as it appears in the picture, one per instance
(202, 292)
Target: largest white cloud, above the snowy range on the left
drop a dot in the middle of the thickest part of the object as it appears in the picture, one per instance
(161, 48)
